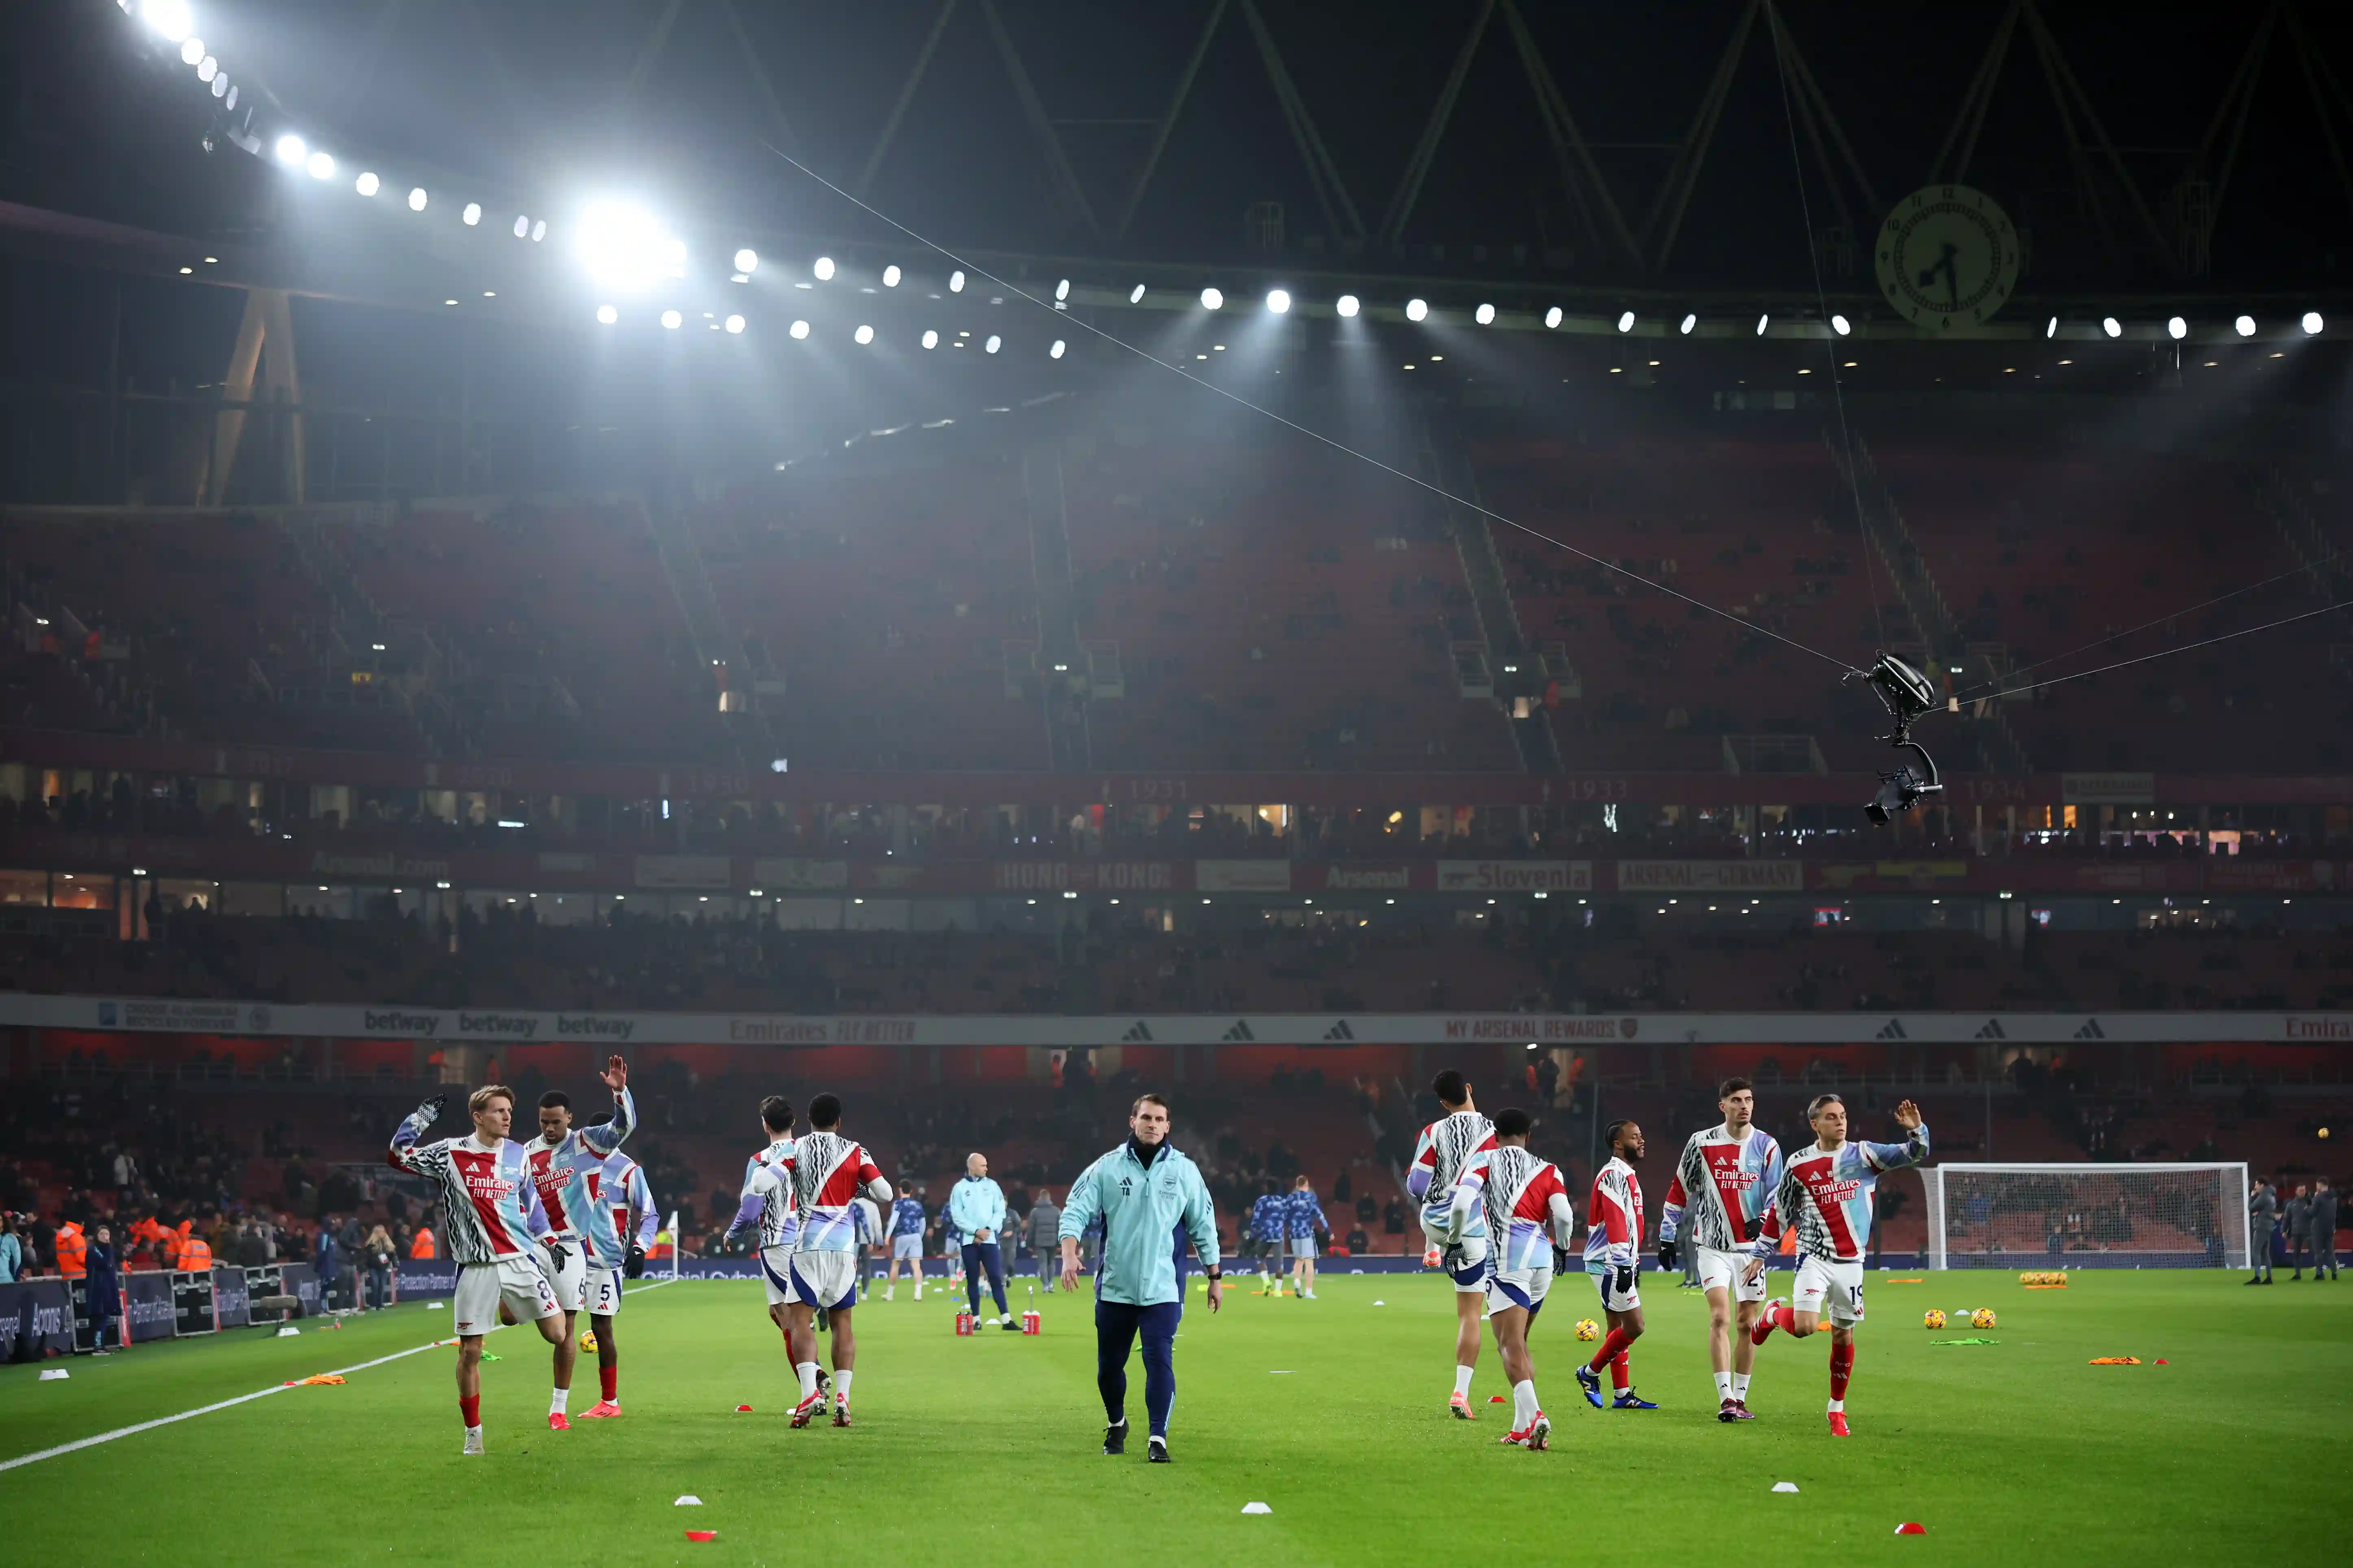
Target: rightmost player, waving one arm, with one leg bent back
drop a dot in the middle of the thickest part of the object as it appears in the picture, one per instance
(1827, 1198)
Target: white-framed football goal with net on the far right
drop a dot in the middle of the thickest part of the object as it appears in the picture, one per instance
(2088, 1217)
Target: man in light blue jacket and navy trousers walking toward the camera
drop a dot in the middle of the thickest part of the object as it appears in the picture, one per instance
(1142, 1191)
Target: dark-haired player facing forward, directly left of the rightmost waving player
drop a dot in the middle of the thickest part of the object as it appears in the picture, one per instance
(1719, 1198)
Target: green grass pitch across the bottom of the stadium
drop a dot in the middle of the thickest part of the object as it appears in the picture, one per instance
(985, 1452)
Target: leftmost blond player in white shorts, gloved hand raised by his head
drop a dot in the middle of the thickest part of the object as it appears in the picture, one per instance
(493, 1221)
